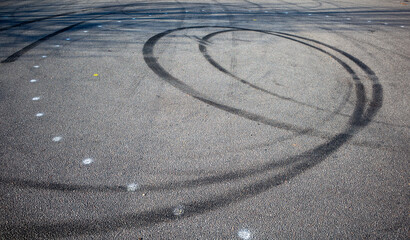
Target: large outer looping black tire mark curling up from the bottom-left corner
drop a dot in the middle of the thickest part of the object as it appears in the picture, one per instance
(295, 164)
